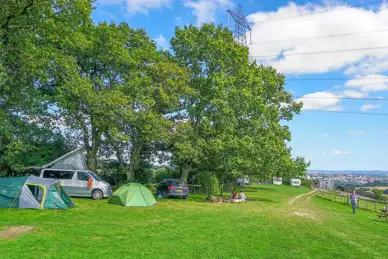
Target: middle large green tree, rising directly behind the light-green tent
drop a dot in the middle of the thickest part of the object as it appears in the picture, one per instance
(114, 87)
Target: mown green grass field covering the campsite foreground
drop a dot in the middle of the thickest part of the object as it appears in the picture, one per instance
(275, 225)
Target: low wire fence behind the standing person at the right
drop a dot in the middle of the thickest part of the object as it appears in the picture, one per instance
(365, 204)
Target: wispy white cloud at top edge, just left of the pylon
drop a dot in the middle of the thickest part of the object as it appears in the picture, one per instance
(205, 10)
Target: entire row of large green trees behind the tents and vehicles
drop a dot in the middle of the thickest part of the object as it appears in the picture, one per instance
(67, 82)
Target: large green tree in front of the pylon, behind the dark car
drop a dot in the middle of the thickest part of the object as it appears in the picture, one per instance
(231, 123)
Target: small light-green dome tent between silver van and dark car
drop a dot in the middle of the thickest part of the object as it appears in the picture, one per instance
(133, 195)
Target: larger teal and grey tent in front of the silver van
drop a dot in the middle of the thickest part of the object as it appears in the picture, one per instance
(31, 192)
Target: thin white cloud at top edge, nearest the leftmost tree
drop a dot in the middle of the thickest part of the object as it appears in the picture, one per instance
(138, 6)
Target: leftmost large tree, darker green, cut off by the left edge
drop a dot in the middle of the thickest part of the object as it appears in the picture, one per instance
(31, 35)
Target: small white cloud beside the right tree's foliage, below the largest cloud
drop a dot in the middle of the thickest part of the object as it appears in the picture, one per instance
(320, 101)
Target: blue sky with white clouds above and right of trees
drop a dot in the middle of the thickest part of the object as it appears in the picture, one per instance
(331, 140)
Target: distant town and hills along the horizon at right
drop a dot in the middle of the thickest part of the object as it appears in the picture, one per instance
(356, 178)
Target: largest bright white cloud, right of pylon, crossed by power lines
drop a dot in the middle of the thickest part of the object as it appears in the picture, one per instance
(344, 19)
